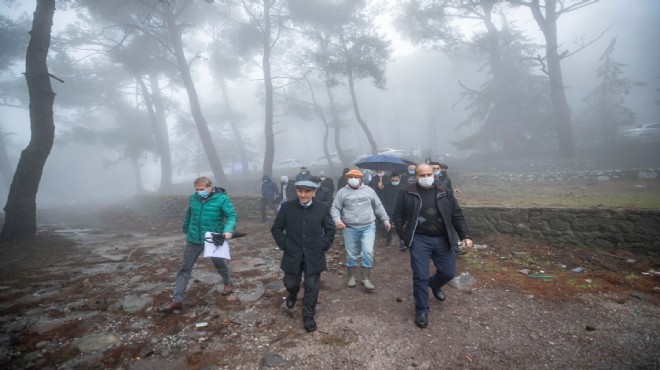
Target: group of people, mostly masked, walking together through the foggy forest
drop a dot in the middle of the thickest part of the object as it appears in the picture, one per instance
(419, 207)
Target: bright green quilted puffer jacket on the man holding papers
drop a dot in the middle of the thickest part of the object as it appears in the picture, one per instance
(214, 213)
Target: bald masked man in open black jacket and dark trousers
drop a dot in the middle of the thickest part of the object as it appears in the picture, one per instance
(427, 217)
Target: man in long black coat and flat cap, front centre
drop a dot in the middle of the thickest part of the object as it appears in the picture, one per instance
(304, 230)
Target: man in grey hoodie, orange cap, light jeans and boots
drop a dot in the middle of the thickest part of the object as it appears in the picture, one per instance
(354, 211)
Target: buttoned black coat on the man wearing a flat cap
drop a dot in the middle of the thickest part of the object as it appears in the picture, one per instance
(303, 233)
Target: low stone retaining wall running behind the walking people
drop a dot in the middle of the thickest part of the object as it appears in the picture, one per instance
(576, 226)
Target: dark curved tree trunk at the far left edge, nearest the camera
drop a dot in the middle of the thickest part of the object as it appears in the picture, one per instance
(21, 208)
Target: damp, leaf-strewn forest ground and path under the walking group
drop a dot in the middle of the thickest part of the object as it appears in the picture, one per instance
(84, 293)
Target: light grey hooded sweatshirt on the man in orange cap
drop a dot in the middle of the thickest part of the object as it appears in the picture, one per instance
(357, 207)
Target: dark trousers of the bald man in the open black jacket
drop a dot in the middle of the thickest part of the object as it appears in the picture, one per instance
(438, 250)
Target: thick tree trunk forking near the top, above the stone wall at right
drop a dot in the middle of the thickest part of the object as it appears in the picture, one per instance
(562, 113)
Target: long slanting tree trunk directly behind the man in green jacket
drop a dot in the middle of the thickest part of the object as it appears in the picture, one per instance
(195, 108)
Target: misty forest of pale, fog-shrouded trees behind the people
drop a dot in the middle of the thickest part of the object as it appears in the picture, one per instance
(152, 93)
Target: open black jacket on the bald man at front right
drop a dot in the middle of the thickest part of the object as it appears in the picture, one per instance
(409, 204)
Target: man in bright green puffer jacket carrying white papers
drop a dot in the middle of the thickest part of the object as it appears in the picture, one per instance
(209, 209)
